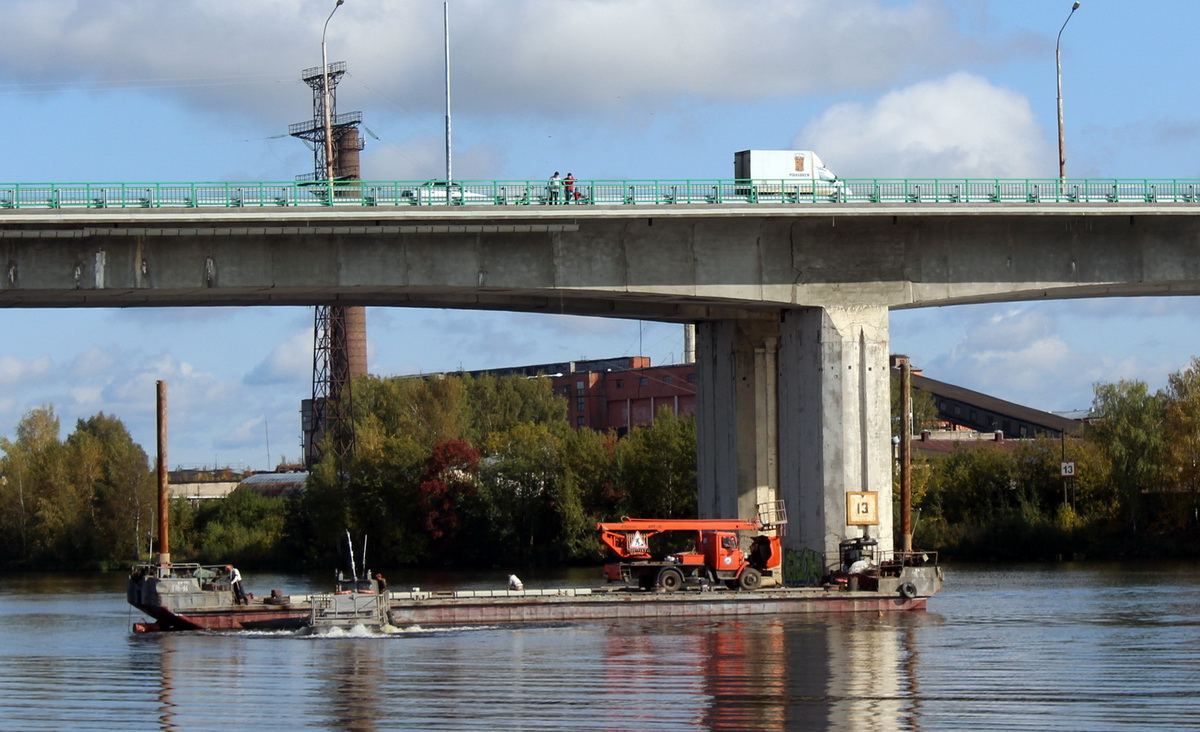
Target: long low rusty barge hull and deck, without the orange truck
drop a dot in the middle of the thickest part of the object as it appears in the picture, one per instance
(177, 599)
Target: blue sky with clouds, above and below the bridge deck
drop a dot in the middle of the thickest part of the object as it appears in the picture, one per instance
(145, 91)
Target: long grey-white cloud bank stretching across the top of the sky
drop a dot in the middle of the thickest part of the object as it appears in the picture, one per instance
(518, 56)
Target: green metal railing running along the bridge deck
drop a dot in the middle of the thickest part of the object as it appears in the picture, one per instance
(592, 193)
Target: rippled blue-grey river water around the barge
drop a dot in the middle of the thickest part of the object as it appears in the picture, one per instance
(1063, 647)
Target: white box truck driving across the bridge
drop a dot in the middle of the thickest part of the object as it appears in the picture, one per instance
(784, 175)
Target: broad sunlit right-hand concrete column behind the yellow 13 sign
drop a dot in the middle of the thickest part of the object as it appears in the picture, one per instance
(835, 425)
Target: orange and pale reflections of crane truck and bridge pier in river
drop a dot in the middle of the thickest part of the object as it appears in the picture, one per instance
(763, 674)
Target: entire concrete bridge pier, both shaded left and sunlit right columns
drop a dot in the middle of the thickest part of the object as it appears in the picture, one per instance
(799, 409)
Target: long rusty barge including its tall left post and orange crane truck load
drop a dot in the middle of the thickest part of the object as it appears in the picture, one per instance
(733, 568)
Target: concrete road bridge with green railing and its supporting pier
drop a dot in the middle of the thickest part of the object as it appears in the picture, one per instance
(790, 290)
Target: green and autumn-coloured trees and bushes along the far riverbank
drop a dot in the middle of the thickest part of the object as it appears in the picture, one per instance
(485, 472)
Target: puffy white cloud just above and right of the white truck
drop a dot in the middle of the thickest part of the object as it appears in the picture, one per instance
(959, 127)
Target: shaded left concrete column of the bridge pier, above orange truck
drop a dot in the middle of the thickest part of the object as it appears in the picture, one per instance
(737, 423)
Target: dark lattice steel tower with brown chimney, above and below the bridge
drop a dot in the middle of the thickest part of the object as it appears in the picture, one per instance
(339, 332)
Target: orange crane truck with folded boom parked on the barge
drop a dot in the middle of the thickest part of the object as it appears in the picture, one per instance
(717, 554)
